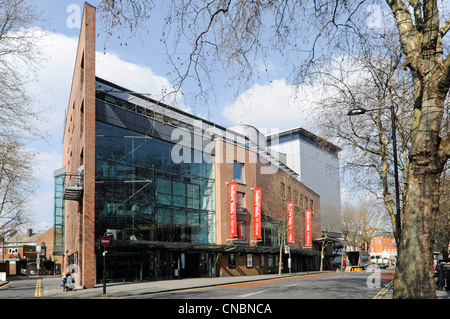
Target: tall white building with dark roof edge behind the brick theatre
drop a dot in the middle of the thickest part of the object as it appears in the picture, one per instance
(316, 161)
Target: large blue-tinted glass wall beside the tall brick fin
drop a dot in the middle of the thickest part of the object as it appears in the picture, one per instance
(141, 195)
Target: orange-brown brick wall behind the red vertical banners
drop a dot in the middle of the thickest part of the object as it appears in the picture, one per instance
(226, 154)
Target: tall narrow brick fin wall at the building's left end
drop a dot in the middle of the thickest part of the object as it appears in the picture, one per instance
(79, 149)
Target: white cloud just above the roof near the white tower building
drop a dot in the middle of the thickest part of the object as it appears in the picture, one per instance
(275, 105)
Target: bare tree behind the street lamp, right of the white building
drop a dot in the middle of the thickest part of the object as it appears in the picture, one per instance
(373, 83)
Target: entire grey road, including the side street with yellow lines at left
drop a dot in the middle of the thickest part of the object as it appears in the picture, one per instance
(328, 285)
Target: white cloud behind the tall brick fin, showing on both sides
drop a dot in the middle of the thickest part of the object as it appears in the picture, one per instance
(51, 95)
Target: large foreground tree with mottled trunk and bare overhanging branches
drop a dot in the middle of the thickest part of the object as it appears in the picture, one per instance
(306, 34)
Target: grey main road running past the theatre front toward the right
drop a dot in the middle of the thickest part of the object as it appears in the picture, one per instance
(352, 285)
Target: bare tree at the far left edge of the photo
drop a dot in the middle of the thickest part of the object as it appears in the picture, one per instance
(19, 58)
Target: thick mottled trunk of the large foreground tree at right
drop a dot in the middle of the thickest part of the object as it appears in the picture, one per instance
(414, 274)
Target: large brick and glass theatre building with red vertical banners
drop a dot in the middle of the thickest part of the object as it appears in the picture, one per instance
(174, 193)
